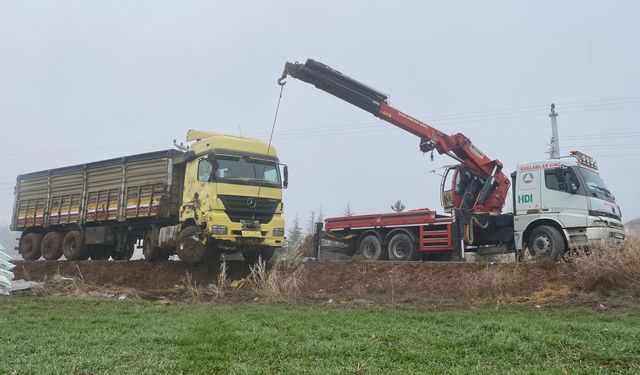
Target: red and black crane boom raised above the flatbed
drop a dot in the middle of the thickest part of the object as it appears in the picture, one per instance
(492, 196)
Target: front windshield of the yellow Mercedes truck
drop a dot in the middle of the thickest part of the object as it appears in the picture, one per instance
(245, 170)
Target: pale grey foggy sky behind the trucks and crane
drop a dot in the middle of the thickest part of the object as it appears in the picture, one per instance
(87, 80)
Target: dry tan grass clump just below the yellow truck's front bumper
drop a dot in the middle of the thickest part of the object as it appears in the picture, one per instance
(277, 283)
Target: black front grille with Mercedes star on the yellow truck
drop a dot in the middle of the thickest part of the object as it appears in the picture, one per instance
(239, 208)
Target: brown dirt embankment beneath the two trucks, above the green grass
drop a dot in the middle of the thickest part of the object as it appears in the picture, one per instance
(352, 278)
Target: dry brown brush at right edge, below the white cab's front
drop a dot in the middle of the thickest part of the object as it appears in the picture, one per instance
(608, 267)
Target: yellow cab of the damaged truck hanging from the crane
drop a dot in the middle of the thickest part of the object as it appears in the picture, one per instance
(233, 194)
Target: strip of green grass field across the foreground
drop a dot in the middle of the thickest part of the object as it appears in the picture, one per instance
(42, 335)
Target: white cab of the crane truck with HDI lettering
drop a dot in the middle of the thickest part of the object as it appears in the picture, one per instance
(561, 204)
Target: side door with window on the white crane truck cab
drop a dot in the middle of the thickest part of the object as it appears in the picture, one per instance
(562, 194)
